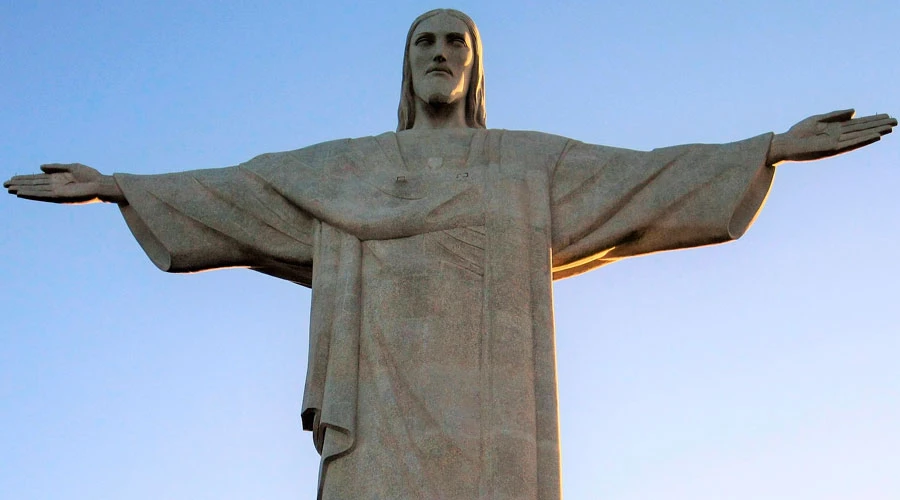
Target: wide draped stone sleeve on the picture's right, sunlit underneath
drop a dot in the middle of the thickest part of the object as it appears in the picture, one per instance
(610, 203)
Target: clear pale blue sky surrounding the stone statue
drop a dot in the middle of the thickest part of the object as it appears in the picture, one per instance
(766, 368)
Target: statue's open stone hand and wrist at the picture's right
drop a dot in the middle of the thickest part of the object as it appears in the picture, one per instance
(831, 134)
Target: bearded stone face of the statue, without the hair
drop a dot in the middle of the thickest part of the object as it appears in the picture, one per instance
(441, 58)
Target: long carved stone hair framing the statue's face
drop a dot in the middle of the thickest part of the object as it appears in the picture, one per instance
(475, 110)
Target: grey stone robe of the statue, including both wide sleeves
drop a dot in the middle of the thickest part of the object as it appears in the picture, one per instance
(432, 370)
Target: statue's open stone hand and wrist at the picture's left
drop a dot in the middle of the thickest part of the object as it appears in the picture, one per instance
(71, 183)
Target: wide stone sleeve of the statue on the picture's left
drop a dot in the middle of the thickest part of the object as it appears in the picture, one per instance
(209, 219)
